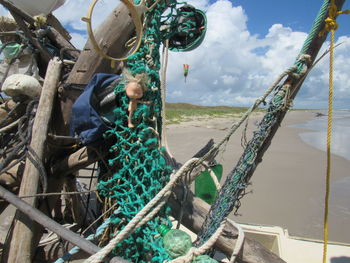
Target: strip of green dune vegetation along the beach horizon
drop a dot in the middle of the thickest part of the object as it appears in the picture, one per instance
(180, 112)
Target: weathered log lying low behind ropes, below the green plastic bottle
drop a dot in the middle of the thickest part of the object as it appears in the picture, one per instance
(194, 213)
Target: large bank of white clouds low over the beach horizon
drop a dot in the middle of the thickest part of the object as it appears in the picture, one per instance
(231, 59)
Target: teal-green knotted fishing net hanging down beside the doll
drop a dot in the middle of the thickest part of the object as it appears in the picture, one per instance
(139, 168)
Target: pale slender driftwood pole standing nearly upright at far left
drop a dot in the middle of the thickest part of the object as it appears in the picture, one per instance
(22, 245)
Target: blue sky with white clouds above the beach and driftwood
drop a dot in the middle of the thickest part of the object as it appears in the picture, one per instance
(248, 44)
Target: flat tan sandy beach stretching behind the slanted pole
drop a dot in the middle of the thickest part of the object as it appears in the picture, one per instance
(288, 187)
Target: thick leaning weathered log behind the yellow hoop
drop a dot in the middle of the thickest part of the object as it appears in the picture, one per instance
(111, 35)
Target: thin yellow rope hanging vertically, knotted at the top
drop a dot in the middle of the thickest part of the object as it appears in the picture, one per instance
(331, 26)
